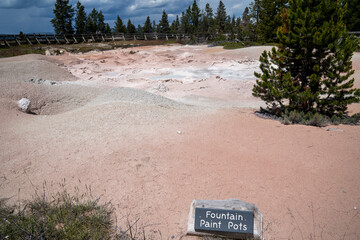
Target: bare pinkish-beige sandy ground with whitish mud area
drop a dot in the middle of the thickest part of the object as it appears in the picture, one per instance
(152, 128)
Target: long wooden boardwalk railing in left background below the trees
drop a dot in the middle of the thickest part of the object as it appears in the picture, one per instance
(11, 40)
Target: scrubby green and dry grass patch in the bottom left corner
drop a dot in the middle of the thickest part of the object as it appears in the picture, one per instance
(60, 217)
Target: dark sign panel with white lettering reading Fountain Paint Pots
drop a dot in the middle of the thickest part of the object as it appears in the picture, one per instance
(226, 221)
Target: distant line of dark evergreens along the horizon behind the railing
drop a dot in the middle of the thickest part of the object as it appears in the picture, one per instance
(259, 21)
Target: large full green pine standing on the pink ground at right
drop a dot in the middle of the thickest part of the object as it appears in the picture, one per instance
(310, 69)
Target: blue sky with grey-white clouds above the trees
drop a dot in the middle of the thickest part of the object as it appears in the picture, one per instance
(33, 16)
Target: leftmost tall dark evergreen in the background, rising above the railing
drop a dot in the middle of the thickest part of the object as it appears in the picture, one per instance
(64, 13)
